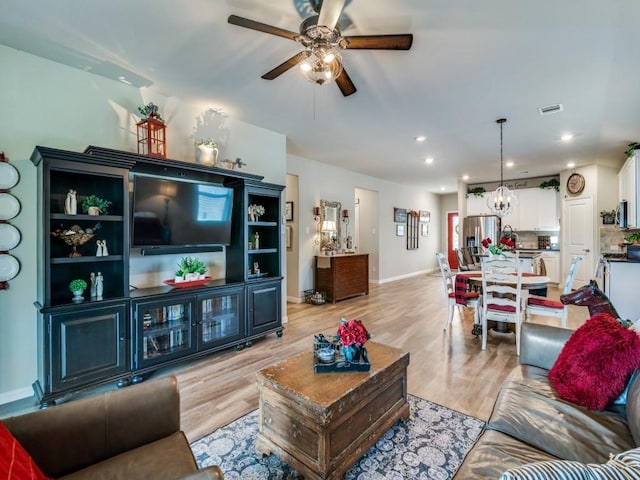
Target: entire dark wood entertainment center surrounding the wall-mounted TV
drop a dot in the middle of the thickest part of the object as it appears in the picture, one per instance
(125, 336)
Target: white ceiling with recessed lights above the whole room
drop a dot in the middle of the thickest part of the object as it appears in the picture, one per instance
(472, 62)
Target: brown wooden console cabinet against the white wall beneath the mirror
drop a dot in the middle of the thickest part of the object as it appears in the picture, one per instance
(342, 276)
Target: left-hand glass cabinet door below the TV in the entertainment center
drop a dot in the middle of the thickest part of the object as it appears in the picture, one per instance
(165, 330)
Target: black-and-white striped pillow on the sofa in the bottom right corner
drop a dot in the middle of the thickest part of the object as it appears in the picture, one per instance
(623, 466)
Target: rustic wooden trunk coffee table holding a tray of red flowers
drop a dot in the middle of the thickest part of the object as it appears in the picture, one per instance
(322, 423)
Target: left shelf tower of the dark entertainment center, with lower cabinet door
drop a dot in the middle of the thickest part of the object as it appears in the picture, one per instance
(83, 340)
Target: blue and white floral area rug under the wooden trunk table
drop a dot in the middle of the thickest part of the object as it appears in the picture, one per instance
(430, 445)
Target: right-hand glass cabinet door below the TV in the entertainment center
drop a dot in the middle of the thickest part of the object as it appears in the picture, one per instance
(220, 317)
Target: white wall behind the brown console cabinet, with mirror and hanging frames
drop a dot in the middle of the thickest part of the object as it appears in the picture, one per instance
(318, 181)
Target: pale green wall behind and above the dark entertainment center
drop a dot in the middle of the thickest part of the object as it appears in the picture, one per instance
(44, 103)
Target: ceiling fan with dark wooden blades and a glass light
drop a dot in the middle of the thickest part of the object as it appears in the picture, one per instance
(321, 61)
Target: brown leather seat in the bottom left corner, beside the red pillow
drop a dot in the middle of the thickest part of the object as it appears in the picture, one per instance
(129, 433)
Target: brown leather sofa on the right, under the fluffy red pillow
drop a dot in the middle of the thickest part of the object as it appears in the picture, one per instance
(530, 423)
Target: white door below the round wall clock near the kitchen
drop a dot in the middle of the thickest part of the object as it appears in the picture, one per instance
(578, 238)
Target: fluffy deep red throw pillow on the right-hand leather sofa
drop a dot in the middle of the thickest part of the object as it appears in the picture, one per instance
(596, 362)
